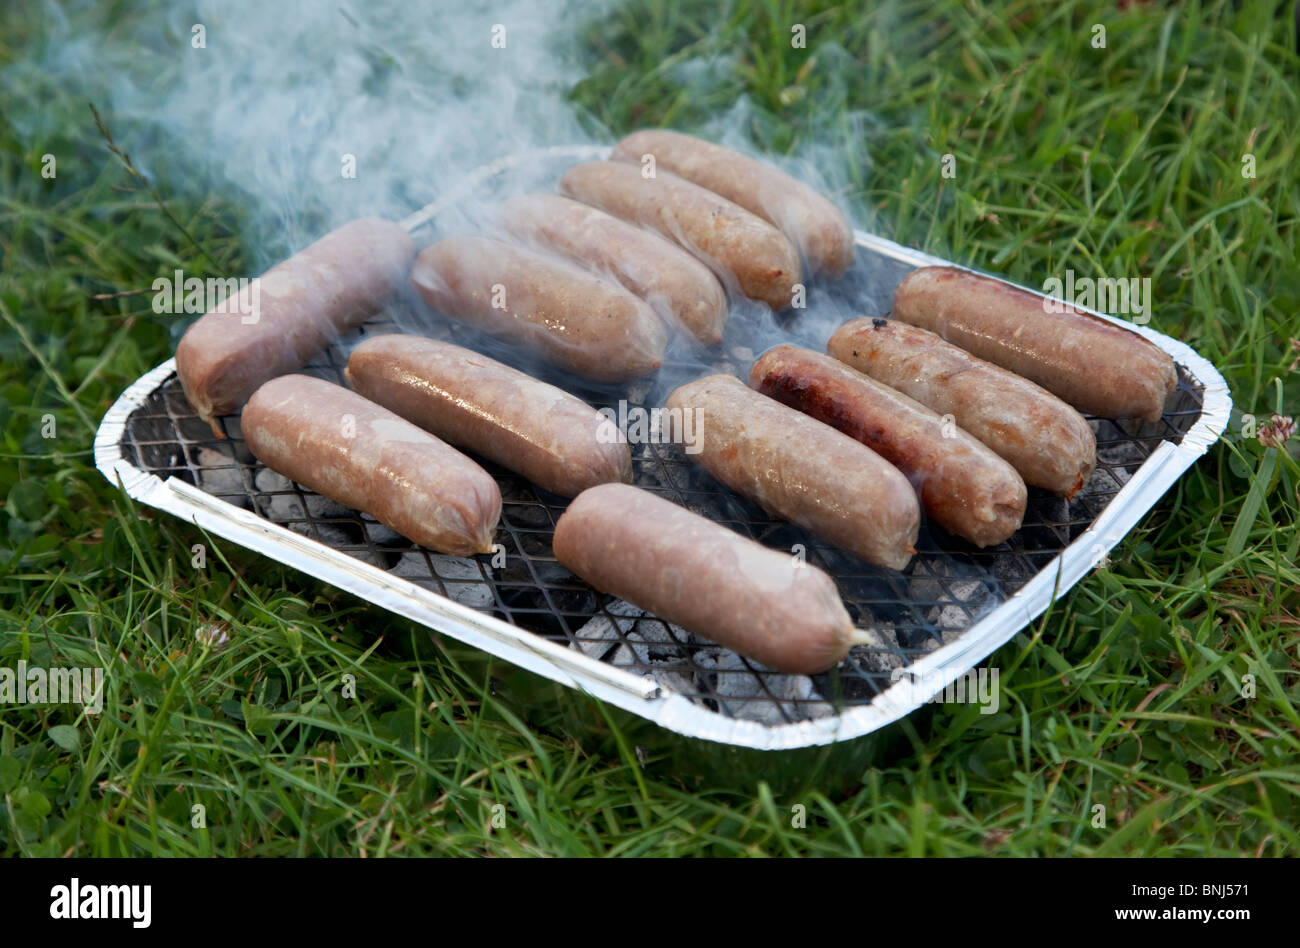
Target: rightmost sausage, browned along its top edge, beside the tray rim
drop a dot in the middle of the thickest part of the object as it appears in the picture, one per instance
(1095, 366)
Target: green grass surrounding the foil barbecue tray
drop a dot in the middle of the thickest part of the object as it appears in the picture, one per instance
(1124, 162)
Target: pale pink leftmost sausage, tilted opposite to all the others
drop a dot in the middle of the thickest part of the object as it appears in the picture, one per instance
(302, 306)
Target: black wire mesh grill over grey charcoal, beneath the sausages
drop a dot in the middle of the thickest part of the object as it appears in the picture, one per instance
(942, 594)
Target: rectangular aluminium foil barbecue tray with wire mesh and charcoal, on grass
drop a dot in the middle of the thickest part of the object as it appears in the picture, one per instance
(934, 622)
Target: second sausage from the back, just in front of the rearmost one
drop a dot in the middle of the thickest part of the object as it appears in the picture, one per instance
(736, 245)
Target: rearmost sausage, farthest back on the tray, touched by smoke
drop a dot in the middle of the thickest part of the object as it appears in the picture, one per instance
(813, 223)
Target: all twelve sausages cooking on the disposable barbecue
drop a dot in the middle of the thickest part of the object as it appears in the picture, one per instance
(972, 393)
